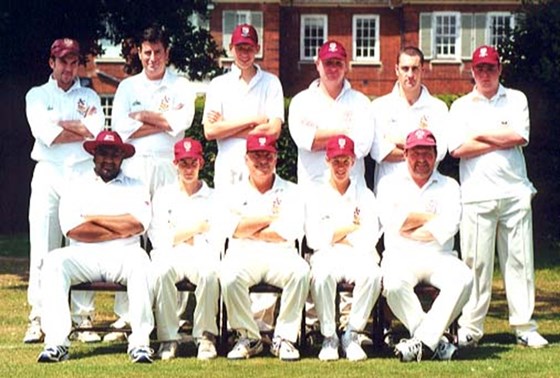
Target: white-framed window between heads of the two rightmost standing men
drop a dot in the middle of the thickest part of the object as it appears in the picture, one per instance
(446, 36)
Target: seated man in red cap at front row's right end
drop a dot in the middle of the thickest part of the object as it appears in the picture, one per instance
(420, 212)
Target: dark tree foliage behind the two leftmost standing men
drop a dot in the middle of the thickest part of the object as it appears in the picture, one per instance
(29, 27)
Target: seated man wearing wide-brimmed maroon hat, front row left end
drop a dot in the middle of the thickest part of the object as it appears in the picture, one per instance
(103, 215)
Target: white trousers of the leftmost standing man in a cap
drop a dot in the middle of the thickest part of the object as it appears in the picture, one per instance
(45, 234)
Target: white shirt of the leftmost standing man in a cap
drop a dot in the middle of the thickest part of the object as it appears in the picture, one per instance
(48, 104)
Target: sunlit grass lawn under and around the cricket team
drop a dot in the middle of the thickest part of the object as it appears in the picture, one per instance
(497, 355)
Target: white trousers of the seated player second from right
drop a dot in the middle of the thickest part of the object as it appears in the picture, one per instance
(344, 263)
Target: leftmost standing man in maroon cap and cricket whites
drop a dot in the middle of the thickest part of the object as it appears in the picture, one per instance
(61, 114)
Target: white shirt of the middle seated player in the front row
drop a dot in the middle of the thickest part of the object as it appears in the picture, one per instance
(244, 200)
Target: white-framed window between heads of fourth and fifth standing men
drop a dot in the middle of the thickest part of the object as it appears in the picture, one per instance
(365, 38)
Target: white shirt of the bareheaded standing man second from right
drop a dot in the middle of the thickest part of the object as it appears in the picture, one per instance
(396, 118)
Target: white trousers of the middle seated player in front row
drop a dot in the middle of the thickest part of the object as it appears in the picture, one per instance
(279, 266)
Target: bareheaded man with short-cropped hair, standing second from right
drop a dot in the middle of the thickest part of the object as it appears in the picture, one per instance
(408, 107)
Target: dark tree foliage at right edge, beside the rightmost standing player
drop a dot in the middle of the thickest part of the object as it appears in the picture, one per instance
(532, 56)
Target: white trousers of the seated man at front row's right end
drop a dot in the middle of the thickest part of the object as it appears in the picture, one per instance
(403, 270)
